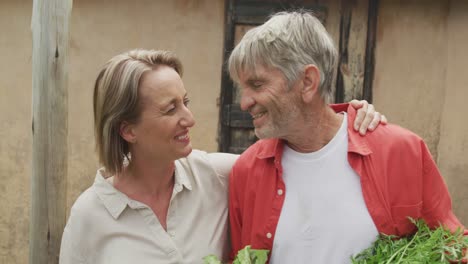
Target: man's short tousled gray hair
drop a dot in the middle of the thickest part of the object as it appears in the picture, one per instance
(288, 41)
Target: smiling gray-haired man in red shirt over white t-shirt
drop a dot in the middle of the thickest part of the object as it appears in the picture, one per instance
(310, 190)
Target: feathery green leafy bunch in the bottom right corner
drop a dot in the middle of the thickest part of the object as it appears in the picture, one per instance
(425, 246)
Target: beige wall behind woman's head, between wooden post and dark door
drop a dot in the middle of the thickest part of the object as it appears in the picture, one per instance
(102, 29)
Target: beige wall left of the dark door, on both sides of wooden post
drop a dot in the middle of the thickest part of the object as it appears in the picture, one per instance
(99, 29)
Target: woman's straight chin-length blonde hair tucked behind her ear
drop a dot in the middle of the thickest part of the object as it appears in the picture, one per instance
(116, 100)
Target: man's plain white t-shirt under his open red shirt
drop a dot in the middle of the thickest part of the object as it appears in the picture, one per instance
(324, 218)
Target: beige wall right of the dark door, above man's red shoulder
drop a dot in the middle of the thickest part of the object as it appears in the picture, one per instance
(420, 81)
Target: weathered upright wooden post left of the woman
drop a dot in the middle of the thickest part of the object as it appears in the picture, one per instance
(50, 36)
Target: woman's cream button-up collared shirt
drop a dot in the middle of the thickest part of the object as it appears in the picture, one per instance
(106, 226)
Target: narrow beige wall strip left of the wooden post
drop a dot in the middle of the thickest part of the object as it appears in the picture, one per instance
(15, 129)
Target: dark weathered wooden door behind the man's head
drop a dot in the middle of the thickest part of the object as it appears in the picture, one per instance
(347, 21)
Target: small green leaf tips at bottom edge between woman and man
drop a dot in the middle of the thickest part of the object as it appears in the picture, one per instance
(244, 256)
